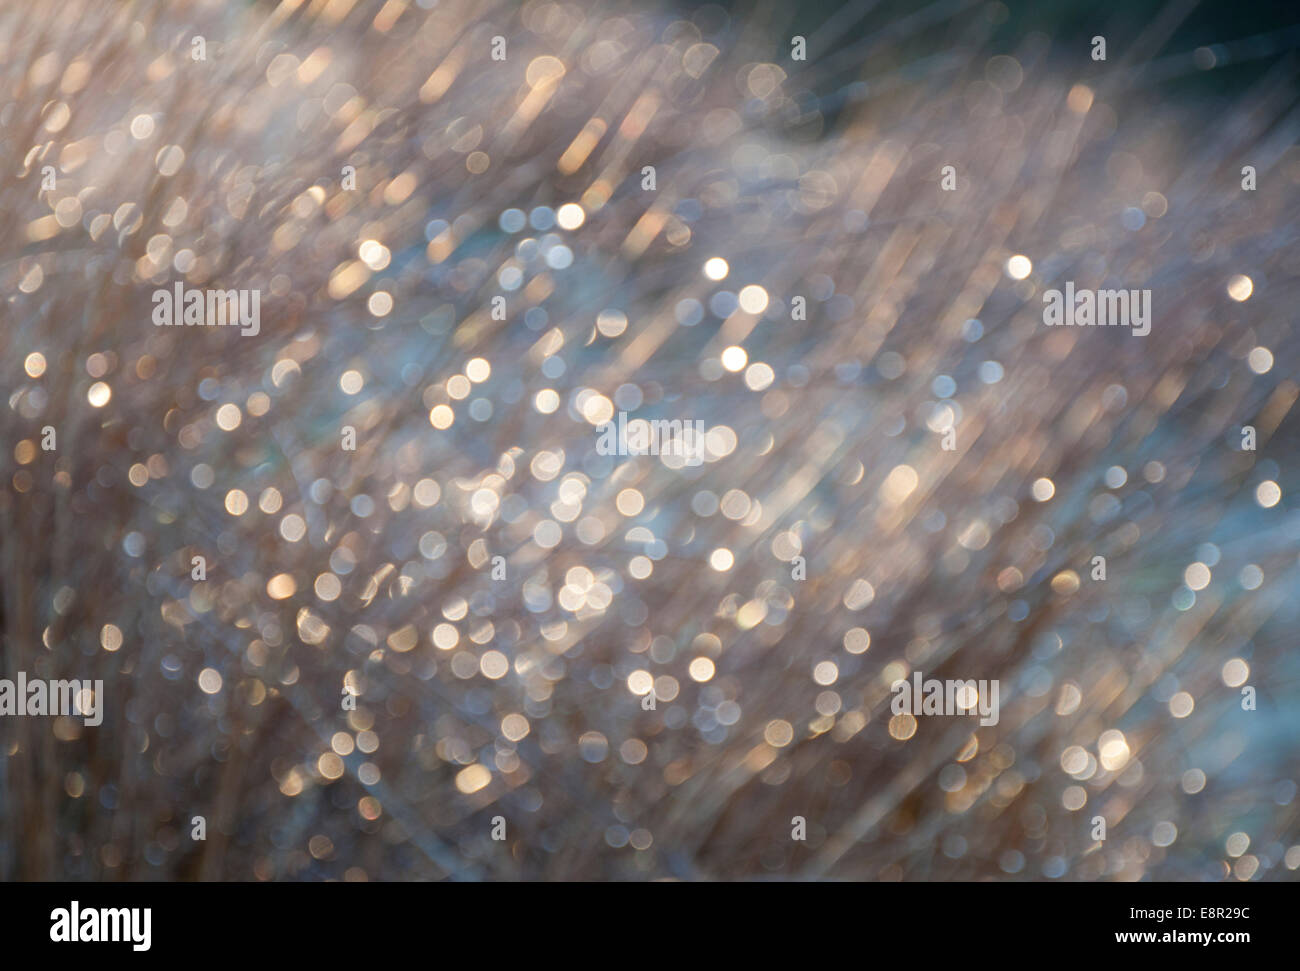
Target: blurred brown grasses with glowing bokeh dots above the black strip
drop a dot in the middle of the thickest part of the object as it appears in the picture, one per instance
(369, 575)
